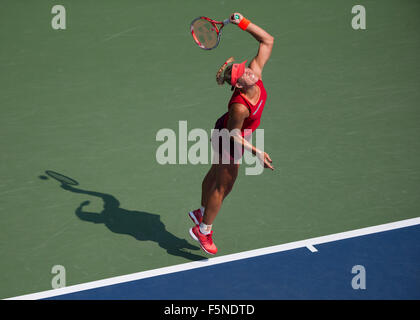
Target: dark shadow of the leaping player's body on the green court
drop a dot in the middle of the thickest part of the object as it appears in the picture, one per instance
(143, 226)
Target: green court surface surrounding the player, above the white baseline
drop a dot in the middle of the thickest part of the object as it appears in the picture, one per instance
(341, 124)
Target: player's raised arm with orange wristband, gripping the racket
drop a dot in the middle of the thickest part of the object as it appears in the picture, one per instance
(263, 37)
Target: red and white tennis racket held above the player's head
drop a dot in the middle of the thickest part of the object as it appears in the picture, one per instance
(206, 32)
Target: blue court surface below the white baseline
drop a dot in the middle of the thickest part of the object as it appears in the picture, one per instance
(380, 265)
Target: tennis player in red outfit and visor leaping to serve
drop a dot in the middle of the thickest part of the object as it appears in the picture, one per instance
(244, 112)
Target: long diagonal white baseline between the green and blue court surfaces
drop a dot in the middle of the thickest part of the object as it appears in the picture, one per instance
(309, 243)
